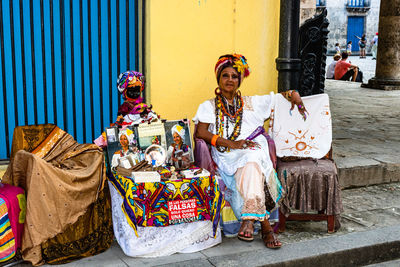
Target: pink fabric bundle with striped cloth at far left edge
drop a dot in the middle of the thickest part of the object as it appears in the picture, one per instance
(12, 218)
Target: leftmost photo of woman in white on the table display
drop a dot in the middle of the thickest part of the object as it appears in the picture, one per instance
(122, 147)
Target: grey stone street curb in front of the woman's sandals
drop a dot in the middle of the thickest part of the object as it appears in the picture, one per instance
(354, 249)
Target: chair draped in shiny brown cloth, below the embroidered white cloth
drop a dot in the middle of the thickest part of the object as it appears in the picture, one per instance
(326, 203)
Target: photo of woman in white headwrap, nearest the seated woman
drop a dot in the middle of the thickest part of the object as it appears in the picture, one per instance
(179, 143)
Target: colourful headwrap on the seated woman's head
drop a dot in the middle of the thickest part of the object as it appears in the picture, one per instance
(237, 61)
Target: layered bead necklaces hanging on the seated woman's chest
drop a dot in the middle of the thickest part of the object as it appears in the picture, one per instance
(223, 117)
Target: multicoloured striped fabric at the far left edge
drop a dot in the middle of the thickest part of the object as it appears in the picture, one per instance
(7, 241)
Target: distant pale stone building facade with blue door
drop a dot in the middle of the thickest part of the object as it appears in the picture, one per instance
(348, 19)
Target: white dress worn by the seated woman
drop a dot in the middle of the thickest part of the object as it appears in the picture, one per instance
(244, 170)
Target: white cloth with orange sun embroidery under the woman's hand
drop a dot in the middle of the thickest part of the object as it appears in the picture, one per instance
(295, 137)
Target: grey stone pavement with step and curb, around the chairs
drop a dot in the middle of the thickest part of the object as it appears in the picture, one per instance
(366, 147)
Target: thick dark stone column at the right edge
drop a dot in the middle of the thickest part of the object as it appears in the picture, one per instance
(387, 74)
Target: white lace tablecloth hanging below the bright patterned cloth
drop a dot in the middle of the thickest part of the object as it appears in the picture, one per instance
(160, 241)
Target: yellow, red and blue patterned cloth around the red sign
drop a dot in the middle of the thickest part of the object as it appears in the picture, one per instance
(146, 204)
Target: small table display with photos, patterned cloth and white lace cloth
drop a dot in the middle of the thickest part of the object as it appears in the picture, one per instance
(161, 203)
